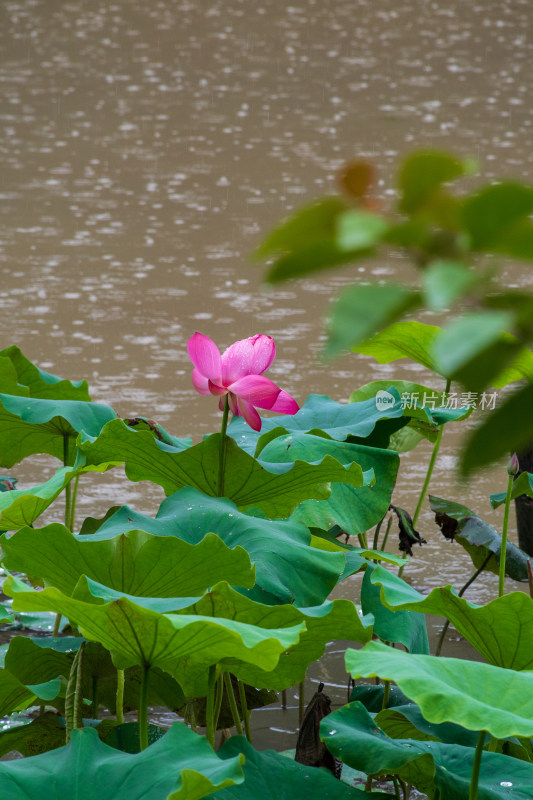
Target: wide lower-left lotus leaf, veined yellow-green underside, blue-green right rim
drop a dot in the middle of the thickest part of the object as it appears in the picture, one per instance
(137, 635)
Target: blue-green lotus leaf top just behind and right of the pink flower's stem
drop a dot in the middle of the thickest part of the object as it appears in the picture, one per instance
(319, 413)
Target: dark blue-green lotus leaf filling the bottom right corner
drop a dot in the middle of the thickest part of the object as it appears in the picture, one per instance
(351, 734)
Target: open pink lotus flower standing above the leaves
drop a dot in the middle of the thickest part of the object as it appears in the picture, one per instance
(238, 373)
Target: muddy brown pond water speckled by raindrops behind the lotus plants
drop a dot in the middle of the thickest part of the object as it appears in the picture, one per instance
(147, 147)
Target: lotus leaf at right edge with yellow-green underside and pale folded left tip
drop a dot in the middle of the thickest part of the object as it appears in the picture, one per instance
(501, 630)
